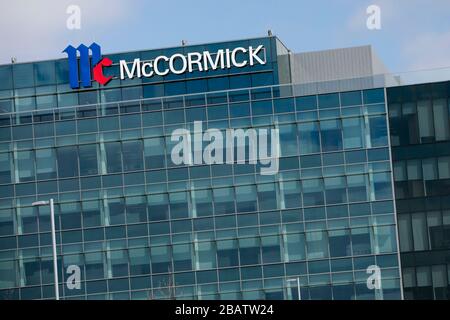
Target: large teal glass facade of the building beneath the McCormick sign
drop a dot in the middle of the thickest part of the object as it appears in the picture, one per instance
(140, 227)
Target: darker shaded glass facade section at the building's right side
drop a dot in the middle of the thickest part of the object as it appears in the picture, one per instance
(420, 136)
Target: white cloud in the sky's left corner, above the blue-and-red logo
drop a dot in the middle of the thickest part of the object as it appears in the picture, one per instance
(36, 29)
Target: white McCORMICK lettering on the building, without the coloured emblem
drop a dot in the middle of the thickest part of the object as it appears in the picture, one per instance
(195, 61)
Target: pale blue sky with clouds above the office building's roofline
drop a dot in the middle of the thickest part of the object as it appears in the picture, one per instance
(414, 35)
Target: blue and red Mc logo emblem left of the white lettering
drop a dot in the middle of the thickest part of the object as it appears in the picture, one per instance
(87, 64)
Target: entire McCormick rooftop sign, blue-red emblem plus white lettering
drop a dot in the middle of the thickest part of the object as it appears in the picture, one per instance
(86, 63)
